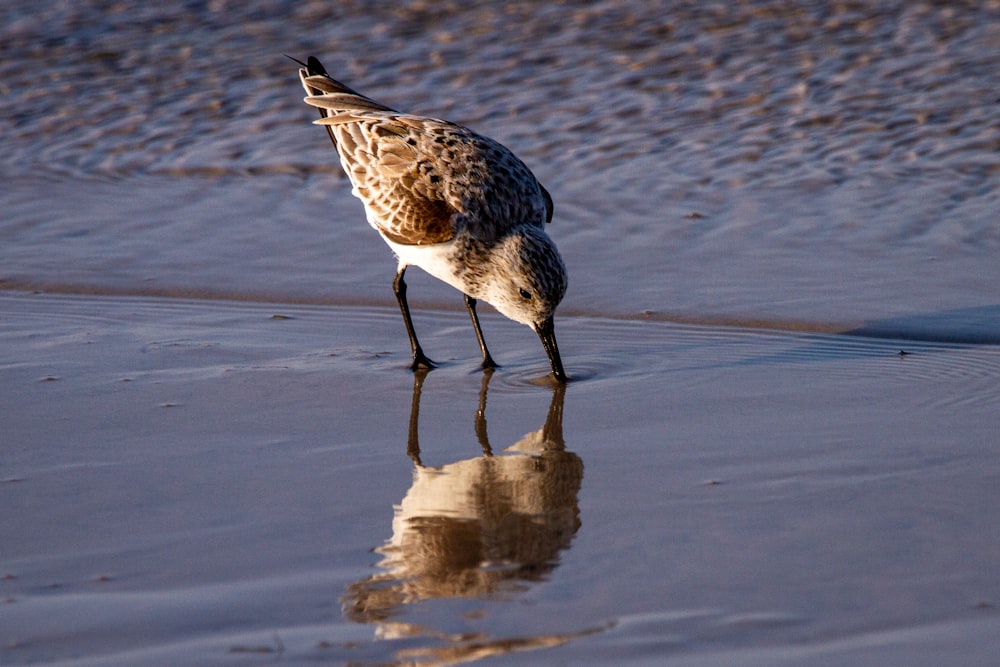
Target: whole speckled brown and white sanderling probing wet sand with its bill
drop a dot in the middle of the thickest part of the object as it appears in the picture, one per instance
(455, 203)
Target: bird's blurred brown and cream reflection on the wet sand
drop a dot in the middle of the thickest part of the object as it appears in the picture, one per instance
(478, 528)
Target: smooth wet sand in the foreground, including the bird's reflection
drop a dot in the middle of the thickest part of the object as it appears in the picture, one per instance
(209, 482)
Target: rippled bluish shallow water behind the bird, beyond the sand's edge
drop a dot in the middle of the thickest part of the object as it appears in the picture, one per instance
(803, 164)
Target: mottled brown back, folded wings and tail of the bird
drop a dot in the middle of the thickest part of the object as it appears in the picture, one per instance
(422, 179)
